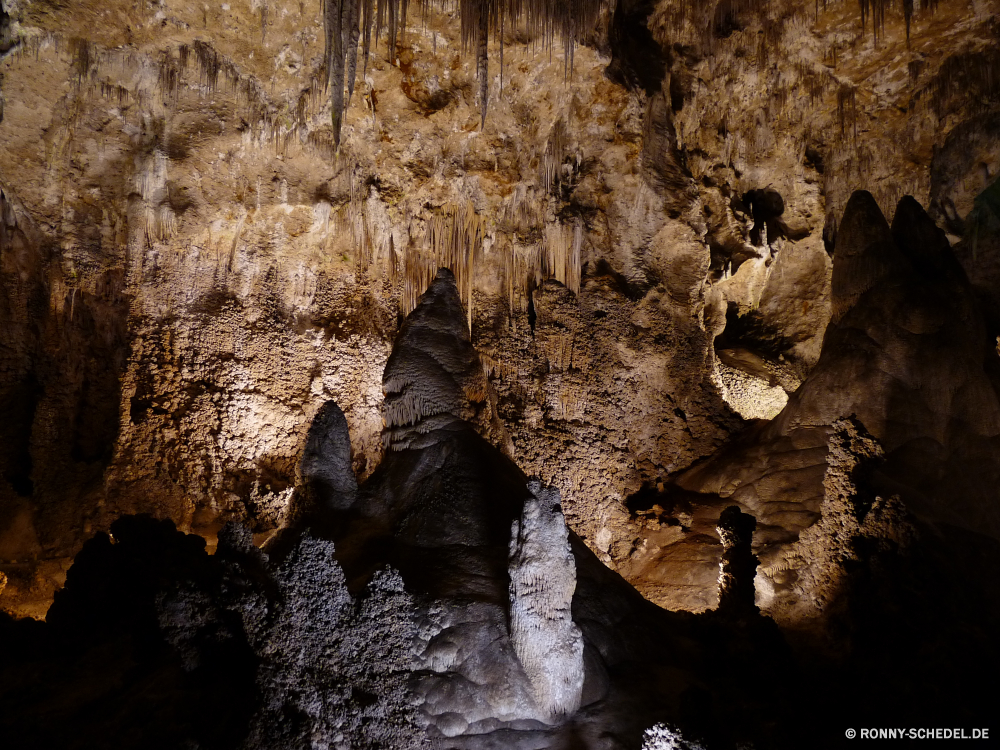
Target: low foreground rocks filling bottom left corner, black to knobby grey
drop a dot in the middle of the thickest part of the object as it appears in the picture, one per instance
(233, 650)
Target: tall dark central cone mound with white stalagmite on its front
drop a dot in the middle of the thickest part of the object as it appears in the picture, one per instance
(524, 639)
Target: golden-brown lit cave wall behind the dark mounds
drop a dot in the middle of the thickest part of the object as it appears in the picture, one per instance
(193, 267)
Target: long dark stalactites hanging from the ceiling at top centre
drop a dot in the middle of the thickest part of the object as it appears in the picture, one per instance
(346, 22)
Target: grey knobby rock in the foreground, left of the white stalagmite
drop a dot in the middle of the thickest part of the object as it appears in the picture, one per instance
(340, 668)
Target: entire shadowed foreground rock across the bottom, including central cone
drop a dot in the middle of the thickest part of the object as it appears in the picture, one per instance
(477, 637)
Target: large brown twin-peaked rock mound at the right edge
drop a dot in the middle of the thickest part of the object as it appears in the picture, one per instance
(910, 358)
